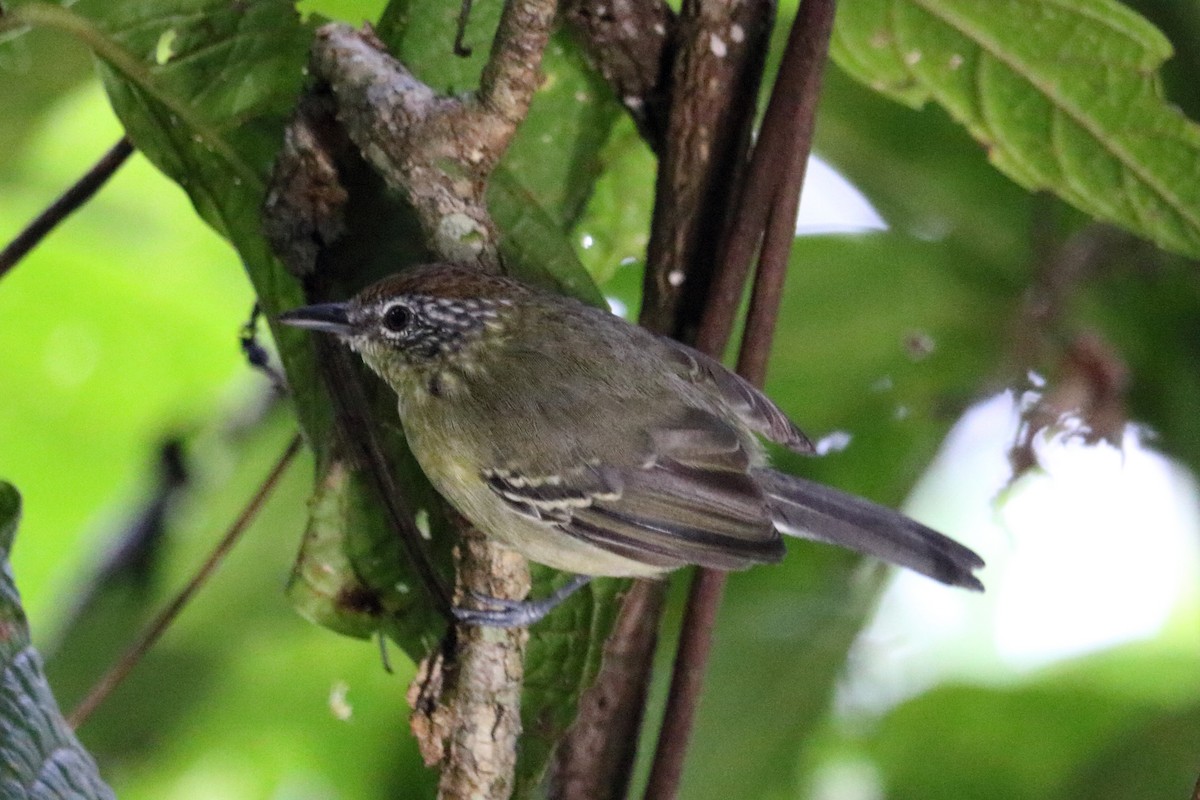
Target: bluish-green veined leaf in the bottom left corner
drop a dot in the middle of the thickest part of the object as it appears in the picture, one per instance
(40, 756)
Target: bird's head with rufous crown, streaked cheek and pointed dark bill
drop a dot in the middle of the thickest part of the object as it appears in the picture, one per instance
(429, 317)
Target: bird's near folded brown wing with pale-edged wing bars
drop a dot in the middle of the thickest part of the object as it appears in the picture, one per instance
(691, 502)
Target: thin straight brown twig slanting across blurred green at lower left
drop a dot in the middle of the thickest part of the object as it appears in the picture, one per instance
(118, 672)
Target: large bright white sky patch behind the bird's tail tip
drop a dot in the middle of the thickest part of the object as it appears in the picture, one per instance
(1100, 548)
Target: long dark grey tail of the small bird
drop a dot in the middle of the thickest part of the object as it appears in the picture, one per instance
(815, 512)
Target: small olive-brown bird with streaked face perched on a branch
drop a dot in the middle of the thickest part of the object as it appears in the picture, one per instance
(593, 446)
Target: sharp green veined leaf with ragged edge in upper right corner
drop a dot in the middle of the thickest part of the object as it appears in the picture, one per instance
(1064, 94)
